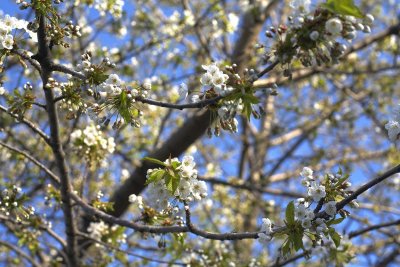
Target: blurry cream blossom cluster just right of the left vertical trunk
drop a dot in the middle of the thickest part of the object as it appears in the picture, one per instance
(92, 145)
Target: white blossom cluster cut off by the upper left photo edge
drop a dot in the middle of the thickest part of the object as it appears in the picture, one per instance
(7, 25)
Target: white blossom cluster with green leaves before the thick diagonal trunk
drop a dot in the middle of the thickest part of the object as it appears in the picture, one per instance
(183, 185)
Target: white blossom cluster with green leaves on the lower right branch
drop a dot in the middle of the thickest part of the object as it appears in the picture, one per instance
(302, 218)
